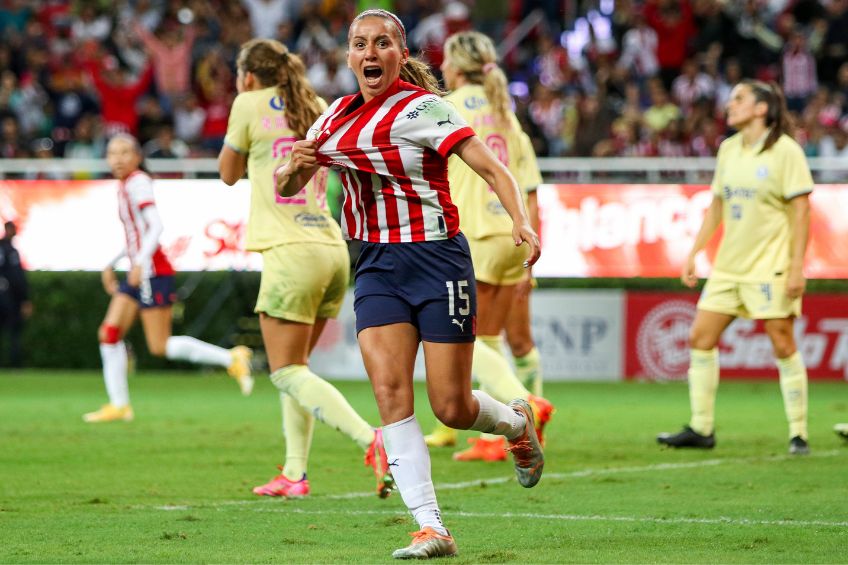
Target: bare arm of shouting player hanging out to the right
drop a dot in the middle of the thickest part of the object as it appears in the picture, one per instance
(481, 159)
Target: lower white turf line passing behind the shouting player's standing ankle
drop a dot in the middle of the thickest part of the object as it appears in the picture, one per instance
(575, 517)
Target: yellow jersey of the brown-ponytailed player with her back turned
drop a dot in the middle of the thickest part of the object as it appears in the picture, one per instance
(257, 128)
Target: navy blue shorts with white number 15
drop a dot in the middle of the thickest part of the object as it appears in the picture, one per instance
(427, 284)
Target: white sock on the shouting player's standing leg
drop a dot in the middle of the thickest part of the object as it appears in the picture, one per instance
(409, 462)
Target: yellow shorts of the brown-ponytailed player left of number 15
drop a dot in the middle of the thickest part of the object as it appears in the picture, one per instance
(303, 281)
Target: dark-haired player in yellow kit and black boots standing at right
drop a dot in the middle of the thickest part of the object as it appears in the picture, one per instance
(761, 194)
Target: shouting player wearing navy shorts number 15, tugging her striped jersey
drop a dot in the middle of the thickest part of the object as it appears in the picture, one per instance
(414, 278)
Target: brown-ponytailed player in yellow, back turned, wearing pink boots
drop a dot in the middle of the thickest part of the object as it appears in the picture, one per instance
(305, 261)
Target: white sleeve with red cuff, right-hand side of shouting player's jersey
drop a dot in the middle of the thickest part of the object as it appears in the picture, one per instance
(434, 123)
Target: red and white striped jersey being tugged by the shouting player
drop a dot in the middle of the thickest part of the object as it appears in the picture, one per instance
(392, 155)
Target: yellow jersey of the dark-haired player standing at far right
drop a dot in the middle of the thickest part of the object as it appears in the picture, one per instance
(756, 213)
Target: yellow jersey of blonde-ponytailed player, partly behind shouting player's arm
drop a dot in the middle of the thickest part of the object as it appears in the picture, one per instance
(480, 212)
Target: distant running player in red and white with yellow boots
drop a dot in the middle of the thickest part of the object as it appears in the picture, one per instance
(148, 292)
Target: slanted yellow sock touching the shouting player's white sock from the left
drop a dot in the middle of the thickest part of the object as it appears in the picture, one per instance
(323, 401)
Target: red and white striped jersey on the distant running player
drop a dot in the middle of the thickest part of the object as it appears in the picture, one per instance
(134, 195)
